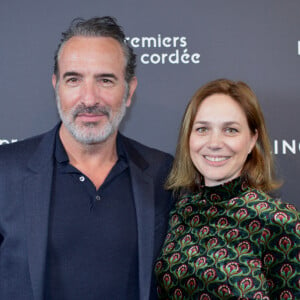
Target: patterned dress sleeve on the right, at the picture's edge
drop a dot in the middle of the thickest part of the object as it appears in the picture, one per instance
(281, 256)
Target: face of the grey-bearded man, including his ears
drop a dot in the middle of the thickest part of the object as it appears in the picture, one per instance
(92, 94)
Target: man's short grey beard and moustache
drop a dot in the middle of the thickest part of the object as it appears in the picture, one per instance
(87, 132)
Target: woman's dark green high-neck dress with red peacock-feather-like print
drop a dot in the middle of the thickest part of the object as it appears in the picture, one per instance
(230, 242)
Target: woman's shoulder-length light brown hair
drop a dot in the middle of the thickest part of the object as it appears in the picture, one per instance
(259, 166)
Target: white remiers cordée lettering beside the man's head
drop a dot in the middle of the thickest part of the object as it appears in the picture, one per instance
(160, 49)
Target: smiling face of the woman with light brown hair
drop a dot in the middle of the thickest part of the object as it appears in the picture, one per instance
(220, 140)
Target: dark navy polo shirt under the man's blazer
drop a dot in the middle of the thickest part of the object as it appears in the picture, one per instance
(92, 245)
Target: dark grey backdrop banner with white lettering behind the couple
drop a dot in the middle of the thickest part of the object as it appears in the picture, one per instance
(180, 46)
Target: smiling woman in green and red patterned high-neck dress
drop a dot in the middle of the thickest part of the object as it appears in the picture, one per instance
(227, 238)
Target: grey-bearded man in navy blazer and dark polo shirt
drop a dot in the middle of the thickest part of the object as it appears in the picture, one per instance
(83, 211)
